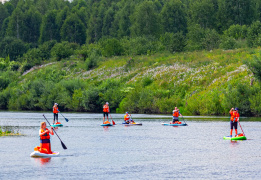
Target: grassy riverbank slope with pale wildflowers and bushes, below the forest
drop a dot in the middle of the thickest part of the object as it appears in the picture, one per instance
(200, 83)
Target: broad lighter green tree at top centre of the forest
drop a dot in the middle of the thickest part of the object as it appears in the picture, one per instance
(145, 20)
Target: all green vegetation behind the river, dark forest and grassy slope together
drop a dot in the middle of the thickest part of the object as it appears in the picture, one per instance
(48, 47)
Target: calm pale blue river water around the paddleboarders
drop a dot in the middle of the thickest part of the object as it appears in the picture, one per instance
(150, 151)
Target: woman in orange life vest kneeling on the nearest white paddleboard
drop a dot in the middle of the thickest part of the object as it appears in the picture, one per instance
(45, 144)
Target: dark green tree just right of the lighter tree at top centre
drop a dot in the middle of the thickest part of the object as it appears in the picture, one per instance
(173, 17)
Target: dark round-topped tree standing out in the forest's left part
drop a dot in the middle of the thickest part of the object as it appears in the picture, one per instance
(73, 30)
